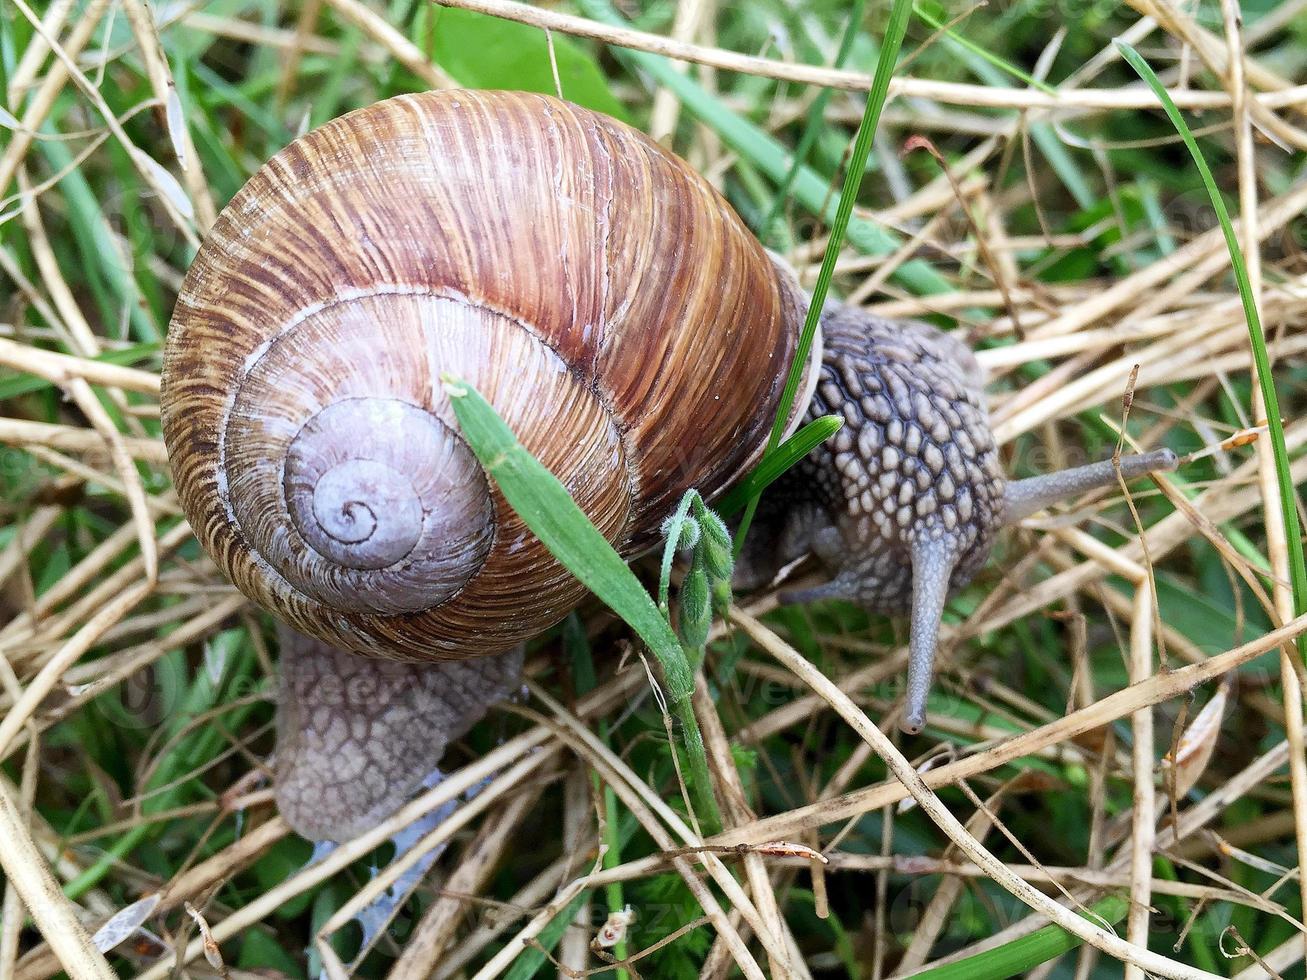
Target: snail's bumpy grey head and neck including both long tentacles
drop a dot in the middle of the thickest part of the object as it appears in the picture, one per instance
(904, 504)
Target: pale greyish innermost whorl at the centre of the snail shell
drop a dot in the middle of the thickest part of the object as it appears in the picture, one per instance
(394, 526)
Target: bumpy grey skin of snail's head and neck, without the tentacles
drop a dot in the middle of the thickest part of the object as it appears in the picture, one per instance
(916, 465)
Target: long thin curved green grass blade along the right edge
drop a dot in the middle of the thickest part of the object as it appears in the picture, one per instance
(1257, 339)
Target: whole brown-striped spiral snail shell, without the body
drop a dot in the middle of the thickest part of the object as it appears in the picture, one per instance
(593, 287)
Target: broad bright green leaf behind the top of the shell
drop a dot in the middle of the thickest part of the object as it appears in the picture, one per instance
(488, 53)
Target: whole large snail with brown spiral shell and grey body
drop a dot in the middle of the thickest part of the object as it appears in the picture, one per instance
(633, 334)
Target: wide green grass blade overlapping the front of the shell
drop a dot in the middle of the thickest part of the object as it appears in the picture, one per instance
(544, 504)
